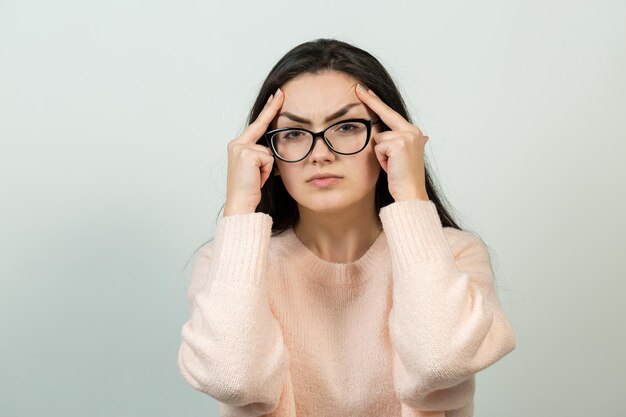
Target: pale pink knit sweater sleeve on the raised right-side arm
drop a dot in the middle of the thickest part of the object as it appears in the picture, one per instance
(446, 322)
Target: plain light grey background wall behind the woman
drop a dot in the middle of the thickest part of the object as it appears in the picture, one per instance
(114, 120)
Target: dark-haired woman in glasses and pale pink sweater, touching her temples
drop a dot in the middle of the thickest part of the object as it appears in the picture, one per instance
(337, 284)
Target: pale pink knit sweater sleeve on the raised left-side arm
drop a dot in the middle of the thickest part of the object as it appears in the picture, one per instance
(232, 346)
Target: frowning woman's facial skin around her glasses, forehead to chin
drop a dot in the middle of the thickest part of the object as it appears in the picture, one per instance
(315, 97)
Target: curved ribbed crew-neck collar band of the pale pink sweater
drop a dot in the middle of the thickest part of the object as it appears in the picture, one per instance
(335, 274)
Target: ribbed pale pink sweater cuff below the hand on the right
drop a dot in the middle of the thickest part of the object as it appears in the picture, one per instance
(414, 232)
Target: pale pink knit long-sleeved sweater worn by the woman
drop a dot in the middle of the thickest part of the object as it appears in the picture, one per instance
(277, 331)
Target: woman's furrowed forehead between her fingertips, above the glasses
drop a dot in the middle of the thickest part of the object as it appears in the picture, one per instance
(316, 96)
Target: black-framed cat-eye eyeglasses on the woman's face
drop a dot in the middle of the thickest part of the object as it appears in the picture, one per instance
(346, 137)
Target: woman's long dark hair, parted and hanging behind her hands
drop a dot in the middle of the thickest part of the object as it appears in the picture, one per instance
(314, 57)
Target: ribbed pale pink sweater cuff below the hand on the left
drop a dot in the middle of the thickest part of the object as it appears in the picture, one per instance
(241, 245)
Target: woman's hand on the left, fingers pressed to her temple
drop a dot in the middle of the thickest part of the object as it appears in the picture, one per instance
(249, 164)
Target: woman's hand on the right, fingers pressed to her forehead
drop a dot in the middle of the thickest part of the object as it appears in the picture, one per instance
(400, 151)
